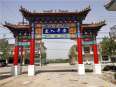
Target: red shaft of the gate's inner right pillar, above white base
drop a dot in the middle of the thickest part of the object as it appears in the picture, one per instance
(79, 48)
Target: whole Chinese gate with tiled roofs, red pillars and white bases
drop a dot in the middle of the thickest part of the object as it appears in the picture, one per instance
(55, 25)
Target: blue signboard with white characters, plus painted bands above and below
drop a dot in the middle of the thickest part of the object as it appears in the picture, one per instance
(55, 31)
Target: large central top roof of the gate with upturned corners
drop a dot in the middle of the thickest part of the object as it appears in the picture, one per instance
(27, 14)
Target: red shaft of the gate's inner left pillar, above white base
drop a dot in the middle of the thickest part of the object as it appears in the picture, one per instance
(32, 51)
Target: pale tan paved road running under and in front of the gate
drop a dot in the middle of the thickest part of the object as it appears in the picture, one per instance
(50, 78)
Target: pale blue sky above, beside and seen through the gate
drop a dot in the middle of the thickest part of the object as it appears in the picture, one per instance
(9, 11)
